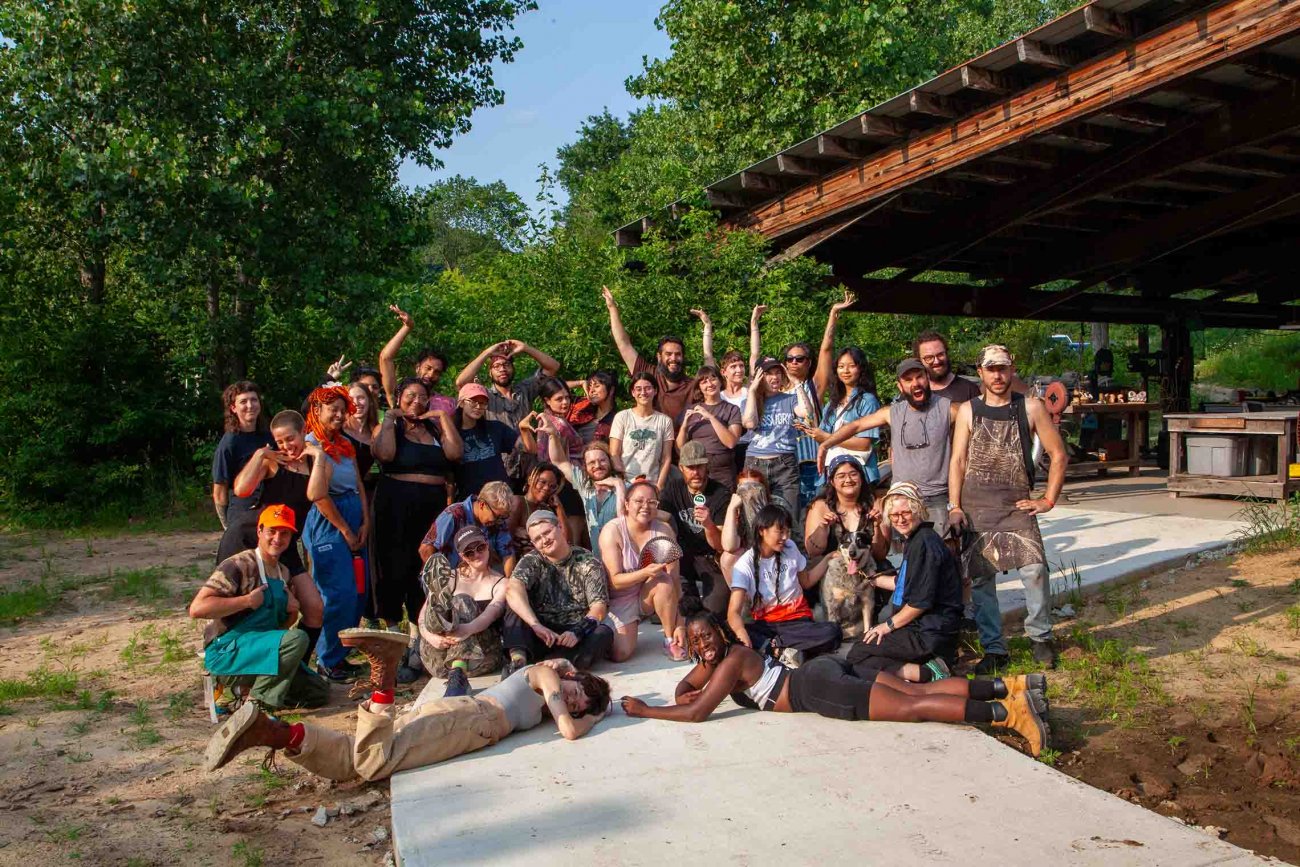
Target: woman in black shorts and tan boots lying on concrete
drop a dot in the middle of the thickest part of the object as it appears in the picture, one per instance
(829, 687)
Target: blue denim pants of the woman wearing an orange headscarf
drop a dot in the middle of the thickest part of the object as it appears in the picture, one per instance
(332, 570)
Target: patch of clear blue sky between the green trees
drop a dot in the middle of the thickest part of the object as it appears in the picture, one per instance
(575, 59)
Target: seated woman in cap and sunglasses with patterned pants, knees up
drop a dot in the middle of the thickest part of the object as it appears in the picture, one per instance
(461, 619)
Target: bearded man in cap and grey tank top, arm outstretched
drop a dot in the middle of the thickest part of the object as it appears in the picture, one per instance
(920, 428)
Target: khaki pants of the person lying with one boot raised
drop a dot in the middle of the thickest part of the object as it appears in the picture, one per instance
(388, 743)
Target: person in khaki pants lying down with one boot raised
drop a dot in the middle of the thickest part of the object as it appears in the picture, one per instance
(387, 742)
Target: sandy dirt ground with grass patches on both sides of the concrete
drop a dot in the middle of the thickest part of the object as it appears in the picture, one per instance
(1181, 693)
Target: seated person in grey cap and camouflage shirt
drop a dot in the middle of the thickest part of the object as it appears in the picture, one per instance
(558, 597)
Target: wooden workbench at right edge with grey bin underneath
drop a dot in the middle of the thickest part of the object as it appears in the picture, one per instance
(1280, 424)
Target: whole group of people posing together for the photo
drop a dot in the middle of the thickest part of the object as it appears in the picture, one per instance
(528, 526)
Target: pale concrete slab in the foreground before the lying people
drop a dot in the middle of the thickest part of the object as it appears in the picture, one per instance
(752, 788)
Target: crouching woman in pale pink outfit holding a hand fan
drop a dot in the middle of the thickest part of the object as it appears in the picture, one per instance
(639, 591)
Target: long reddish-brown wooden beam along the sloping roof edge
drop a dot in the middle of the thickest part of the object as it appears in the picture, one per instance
(1182, 49)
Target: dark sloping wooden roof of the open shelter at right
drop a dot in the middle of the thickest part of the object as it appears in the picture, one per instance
(1146, 151)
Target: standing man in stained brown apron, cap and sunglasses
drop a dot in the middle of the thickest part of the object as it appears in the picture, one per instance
(991, 482)
